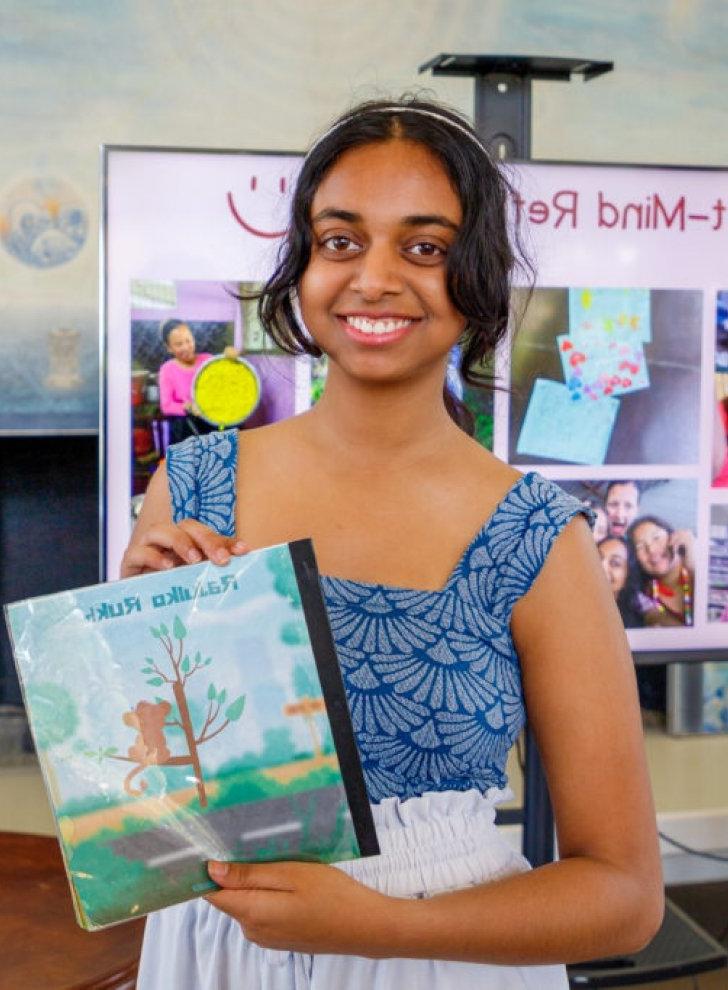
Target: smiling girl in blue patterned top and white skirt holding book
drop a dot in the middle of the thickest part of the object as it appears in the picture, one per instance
(457, 589)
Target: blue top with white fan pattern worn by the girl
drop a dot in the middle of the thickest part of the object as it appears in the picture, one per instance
(432, 677)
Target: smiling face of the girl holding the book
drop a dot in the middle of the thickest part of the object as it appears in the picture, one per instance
(374, 295)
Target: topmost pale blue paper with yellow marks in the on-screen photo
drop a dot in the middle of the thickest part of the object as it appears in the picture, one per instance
(621, 314)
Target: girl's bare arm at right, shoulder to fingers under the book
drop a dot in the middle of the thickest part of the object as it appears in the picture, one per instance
(603, 897)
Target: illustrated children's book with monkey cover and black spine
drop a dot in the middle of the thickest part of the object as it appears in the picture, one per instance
(188, 715)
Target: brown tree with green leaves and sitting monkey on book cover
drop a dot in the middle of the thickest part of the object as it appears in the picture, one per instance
(150, 719)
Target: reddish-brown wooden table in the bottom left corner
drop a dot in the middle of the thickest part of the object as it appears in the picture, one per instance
(41, 944)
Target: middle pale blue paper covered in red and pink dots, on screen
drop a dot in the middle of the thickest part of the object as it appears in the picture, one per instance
(597, 367)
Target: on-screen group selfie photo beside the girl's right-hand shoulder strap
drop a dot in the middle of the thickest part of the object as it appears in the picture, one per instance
(645, 535)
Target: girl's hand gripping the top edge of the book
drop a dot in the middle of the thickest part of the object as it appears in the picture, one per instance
(164, 545)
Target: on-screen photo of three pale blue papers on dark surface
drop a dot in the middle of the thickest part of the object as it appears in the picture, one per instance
(596, 374)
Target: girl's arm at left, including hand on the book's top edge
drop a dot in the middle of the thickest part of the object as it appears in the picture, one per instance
(158, 544)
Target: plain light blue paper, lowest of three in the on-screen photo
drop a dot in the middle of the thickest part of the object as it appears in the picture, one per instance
(557, 427)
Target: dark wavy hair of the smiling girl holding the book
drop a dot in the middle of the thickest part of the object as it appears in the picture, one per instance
(480, 263)
